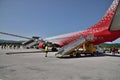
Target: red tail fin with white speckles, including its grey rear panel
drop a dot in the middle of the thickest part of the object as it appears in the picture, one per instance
(111, 19)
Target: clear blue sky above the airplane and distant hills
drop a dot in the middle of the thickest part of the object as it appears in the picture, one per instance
(48, 18)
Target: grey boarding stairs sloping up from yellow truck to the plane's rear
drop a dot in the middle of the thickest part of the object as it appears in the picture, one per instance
(66, 50)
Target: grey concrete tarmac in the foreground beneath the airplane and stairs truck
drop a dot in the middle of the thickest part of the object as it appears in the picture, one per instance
(32, 64)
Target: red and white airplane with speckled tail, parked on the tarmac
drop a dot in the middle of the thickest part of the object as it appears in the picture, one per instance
(106, 30)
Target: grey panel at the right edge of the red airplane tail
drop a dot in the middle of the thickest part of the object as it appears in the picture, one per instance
(115, 23)
